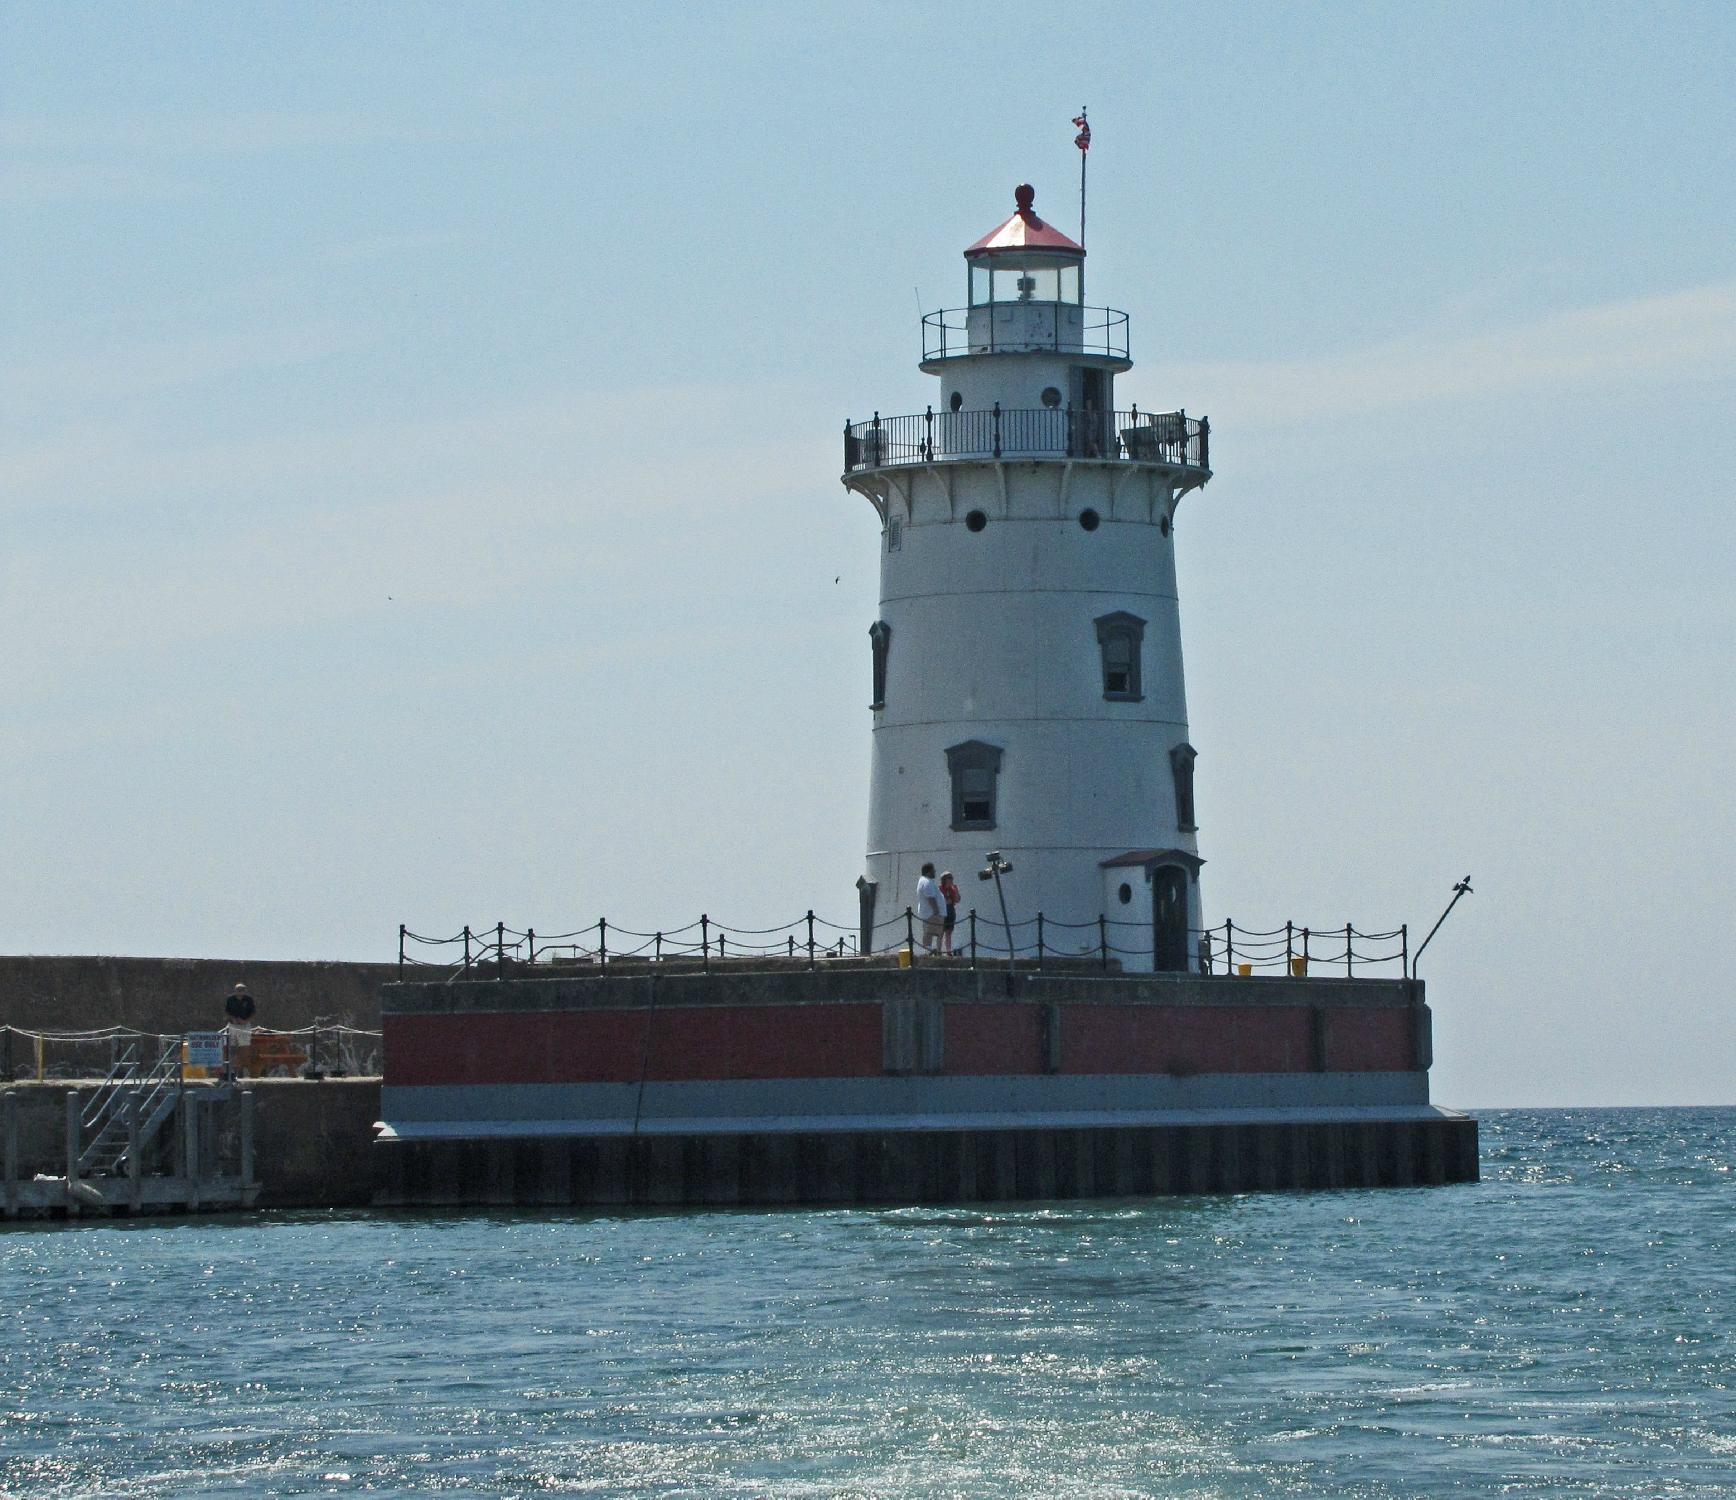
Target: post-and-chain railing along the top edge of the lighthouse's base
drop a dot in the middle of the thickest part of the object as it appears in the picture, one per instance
(1294, 951)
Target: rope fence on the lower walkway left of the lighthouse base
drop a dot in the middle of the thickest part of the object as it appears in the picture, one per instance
(319, 1051)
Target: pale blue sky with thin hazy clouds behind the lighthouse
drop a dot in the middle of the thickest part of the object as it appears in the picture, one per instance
(419, 468)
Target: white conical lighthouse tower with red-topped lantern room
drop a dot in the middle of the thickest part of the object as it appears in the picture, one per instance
(1029, 659)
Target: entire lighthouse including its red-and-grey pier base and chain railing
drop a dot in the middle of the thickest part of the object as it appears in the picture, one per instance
(1029, 723)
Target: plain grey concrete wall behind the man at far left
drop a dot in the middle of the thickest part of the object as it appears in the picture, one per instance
(84, 994)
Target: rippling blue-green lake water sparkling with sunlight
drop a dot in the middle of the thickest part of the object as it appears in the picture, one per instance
(1562, 1329)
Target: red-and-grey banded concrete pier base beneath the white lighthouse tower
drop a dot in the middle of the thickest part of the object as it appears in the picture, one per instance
(857, 1082)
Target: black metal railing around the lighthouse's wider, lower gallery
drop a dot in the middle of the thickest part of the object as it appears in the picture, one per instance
(1171, 438)
